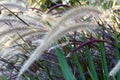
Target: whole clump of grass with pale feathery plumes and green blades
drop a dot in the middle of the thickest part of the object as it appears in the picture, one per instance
(81, 55)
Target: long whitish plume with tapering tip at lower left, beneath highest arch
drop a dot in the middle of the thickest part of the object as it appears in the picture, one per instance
(46, 44)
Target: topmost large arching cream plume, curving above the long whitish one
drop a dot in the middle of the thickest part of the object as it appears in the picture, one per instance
(81, 11)
